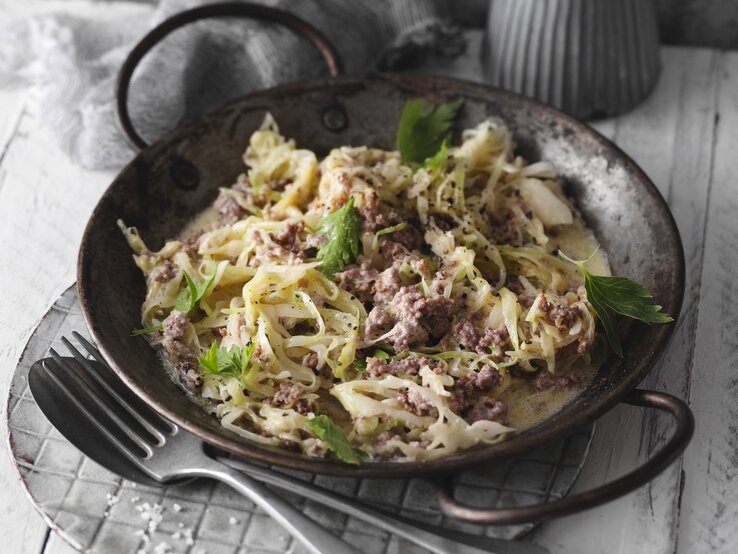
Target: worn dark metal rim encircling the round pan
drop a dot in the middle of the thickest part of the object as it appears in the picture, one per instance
(658, 337)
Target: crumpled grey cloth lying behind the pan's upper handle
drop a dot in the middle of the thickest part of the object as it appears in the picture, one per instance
(71, 63)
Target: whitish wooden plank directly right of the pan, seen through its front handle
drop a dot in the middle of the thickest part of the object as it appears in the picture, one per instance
(670, 136)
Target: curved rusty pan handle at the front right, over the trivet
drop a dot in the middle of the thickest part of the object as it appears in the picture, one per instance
(594, 497)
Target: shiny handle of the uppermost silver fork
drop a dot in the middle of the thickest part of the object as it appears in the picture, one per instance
(316, 538)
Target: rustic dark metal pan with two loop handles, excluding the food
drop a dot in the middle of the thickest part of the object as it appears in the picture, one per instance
(170, 181)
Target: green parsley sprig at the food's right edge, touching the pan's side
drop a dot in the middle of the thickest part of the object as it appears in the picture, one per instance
(611, 296)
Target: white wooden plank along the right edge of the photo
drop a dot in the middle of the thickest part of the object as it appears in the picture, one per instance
(709, 506)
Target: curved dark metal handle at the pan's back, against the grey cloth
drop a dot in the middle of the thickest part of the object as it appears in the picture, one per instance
(225, 9)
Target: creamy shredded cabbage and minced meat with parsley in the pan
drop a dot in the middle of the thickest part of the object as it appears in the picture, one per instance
(385, 305)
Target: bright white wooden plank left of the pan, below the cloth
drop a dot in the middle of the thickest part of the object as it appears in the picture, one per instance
(44, 204)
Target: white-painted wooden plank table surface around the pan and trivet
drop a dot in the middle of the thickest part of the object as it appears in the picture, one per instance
(685, 136)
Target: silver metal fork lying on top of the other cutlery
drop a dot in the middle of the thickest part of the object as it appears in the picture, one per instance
(166, 453)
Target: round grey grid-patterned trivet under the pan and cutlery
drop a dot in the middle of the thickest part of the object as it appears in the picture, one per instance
(97, 511)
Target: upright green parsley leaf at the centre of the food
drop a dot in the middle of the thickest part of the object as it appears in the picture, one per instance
(341, 228)
